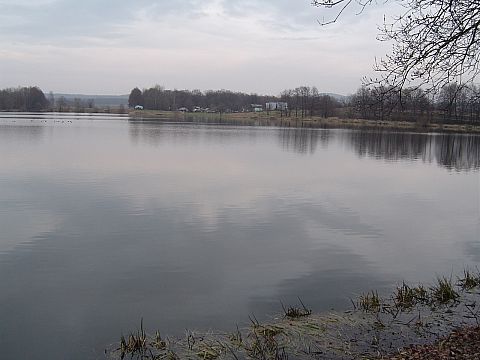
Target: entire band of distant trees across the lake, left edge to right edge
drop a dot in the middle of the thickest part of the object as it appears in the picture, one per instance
(453, 104)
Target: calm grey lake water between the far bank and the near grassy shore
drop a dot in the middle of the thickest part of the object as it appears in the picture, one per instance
(105, 221)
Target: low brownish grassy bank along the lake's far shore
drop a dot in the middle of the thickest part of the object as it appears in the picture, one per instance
(275, 119)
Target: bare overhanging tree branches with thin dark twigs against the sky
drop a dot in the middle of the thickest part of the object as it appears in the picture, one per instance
(435, 42)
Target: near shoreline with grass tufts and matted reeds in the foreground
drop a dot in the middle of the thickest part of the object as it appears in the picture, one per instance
(413, 320)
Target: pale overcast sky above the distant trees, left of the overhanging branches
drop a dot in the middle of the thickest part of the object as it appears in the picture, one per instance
(111, 46)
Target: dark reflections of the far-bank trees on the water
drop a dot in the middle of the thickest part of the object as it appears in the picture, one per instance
(459, 152)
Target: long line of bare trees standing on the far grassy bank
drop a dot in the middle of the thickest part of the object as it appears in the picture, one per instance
(453, 103)
